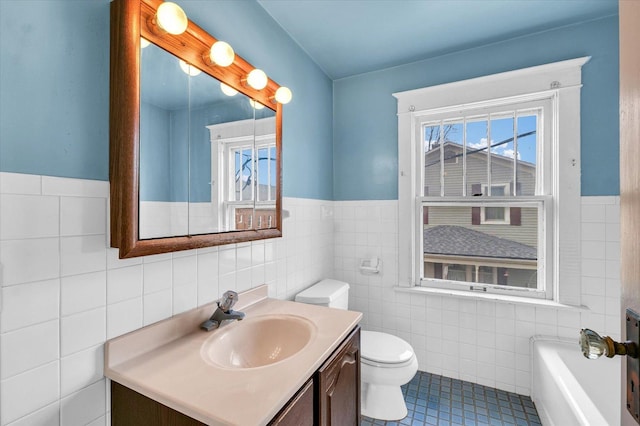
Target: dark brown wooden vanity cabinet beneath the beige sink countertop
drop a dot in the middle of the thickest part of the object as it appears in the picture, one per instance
(330, 397)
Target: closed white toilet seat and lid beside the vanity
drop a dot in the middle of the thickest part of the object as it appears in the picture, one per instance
(384, 350)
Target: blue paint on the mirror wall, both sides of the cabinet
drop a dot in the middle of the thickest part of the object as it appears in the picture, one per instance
(54, 78)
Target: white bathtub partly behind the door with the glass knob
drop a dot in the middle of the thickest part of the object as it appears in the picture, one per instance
(569, 389)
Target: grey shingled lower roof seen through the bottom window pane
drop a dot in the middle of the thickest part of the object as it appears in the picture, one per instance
(461, 241)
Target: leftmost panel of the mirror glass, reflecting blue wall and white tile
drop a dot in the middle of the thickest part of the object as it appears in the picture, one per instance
(164, 144)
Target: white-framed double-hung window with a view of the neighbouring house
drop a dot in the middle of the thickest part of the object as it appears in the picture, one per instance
(484, 164)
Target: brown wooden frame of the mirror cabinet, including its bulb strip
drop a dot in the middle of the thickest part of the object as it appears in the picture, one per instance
(130, 20)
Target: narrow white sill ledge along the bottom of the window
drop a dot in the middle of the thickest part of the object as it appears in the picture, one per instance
(488, 296)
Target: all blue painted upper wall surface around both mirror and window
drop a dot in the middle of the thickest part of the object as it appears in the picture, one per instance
(339, 137)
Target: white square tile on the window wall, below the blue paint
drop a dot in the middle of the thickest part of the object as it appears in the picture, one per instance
(486, 342)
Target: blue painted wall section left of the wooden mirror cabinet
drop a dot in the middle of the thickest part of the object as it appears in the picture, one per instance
(54, 79)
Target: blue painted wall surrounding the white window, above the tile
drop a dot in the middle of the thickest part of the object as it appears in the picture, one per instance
(365, 123)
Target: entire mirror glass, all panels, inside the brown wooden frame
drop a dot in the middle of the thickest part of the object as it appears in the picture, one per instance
(207, 159)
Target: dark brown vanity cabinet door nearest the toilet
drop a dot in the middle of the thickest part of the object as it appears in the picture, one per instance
(339, 385)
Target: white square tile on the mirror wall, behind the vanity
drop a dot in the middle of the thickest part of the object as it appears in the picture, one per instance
(64, 292)
